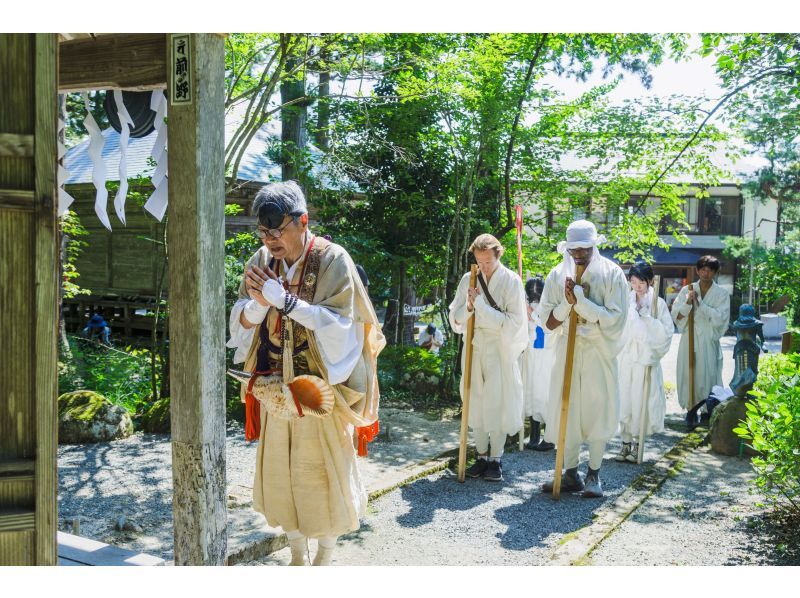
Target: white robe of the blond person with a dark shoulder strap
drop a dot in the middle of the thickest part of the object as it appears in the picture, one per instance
(500, 337)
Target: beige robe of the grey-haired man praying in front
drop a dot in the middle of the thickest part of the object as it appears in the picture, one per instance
(306, 477)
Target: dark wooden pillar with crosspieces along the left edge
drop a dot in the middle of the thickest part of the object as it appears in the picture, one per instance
(28, 299)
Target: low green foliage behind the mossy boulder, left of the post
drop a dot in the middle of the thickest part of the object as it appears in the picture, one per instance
(123, 377)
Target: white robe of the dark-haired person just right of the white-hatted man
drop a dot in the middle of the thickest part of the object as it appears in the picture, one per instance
(647, 340)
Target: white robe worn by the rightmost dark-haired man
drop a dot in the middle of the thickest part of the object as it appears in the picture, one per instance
(710, 322)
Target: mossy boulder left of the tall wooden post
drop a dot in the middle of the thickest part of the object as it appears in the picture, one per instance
(87, 416)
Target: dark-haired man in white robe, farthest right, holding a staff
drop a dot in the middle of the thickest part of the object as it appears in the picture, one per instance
(712, 306)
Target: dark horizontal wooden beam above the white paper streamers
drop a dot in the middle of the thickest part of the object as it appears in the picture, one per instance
(133, 61)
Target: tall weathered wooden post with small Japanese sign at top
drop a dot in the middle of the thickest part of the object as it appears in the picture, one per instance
(195, 232)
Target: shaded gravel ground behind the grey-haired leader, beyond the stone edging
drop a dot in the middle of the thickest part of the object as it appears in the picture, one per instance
(132, 478)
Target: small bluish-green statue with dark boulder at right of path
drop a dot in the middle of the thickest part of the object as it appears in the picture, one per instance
(728, 415)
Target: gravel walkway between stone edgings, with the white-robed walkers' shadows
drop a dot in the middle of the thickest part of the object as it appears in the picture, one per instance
(437, 521)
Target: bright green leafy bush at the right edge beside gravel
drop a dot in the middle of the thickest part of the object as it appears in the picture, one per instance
(772, 426)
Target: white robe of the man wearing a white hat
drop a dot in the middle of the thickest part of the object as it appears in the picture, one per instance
(594, 397)
